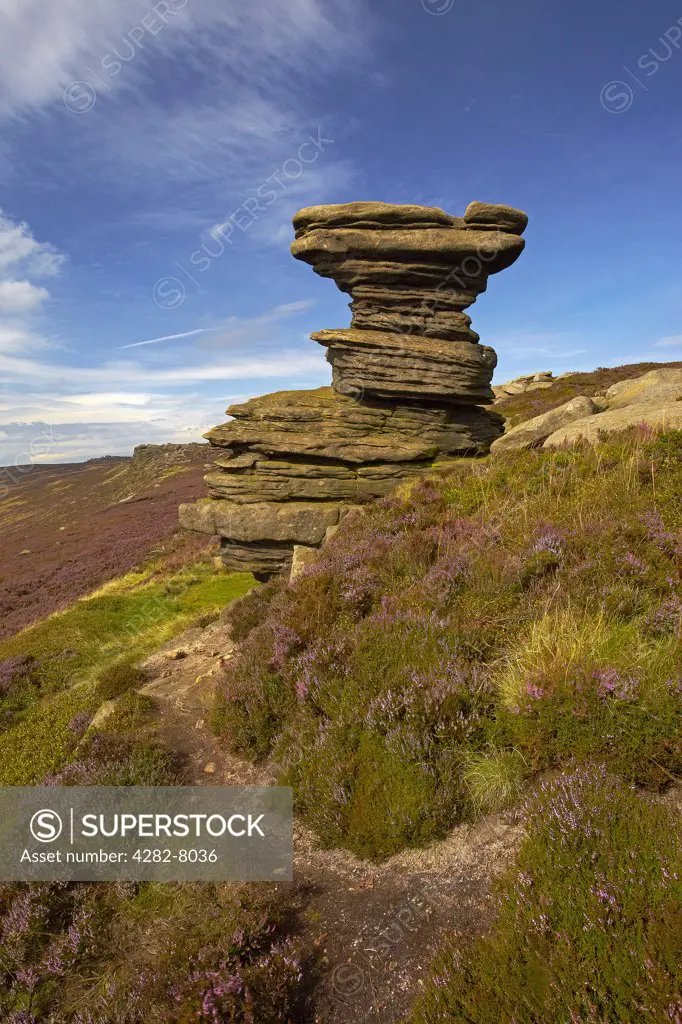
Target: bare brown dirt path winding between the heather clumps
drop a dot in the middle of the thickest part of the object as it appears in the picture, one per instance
(372, 928)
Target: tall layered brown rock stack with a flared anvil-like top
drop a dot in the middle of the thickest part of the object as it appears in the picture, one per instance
(409, 379)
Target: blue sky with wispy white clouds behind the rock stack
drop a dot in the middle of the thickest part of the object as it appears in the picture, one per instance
(152, 156)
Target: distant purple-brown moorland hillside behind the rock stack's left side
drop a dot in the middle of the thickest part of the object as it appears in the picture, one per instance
(69, 529)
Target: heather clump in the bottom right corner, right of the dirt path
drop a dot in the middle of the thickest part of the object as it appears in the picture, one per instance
(588, 920)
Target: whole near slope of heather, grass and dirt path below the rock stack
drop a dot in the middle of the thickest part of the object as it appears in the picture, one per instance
(476, 693)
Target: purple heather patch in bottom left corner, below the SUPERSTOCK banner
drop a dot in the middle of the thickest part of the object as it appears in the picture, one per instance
(142, 953)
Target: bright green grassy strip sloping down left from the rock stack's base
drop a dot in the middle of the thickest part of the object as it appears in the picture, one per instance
(78, 654)
